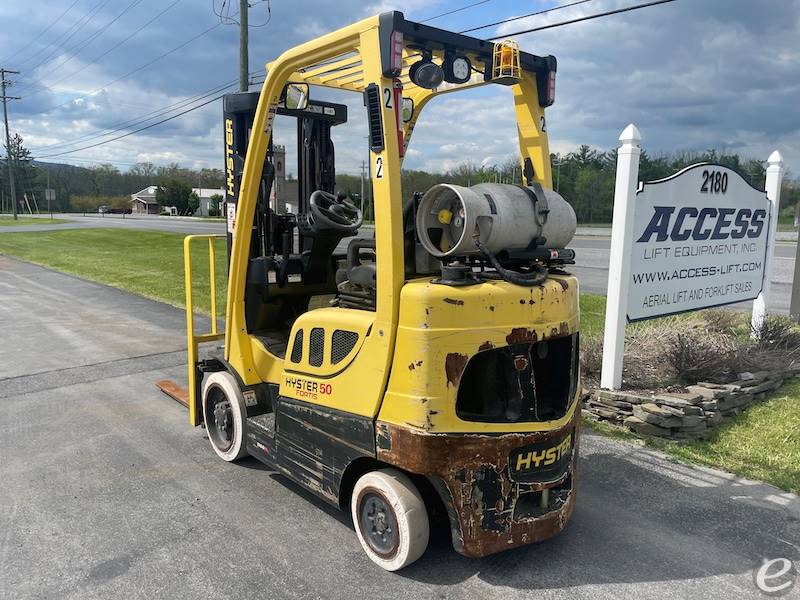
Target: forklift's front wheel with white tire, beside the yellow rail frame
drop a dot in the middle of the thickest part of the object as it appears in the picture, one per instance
(224, 414)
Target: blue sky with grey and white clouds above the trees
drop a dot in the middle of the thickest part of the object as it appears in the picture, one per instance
(693, 74)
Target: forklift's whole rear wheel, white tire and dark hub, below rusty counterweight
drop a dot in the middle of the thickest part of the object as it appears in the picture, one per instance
(390, 518)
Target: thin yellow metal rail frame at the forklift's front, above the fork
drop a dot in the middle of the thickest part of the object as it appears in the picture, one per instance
(193, 340)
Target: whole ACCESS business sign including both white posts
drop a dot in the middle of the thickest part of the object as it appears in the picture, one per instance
(697, 239)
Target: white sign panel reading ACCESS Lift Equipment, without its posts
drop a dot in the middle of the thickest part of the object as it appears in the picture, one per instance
(699, 240)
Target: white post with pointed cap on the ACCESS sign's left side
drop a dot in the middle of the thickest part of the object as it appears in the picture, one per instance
(620, 258)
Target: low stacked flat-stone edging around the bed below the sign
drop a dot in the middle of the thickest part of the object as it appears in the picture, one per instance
(684, 415)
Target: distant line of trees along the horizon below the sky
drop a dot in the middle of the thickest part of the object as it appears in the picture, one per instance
(585, 178)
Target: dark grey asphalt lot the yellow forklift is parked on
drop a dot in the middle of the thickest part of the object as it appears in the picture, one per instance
(108, 493)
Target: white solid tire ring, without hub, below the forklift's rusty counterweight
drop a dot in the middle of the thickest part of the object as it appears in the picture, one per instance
(409, 511)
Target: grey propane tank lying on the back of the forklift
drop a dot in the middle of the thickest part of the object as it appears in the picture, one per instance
(504, 217)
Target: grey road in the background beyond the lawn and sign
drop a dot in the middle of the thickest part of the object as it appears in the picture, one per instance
(591, 261)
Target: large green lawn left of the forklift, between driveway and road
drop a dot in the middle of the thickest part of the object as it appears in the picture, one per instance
(148, 263)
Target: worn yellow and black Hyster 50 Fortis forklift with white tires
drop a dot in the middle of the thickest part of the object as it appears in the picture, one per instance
(443, 372)
